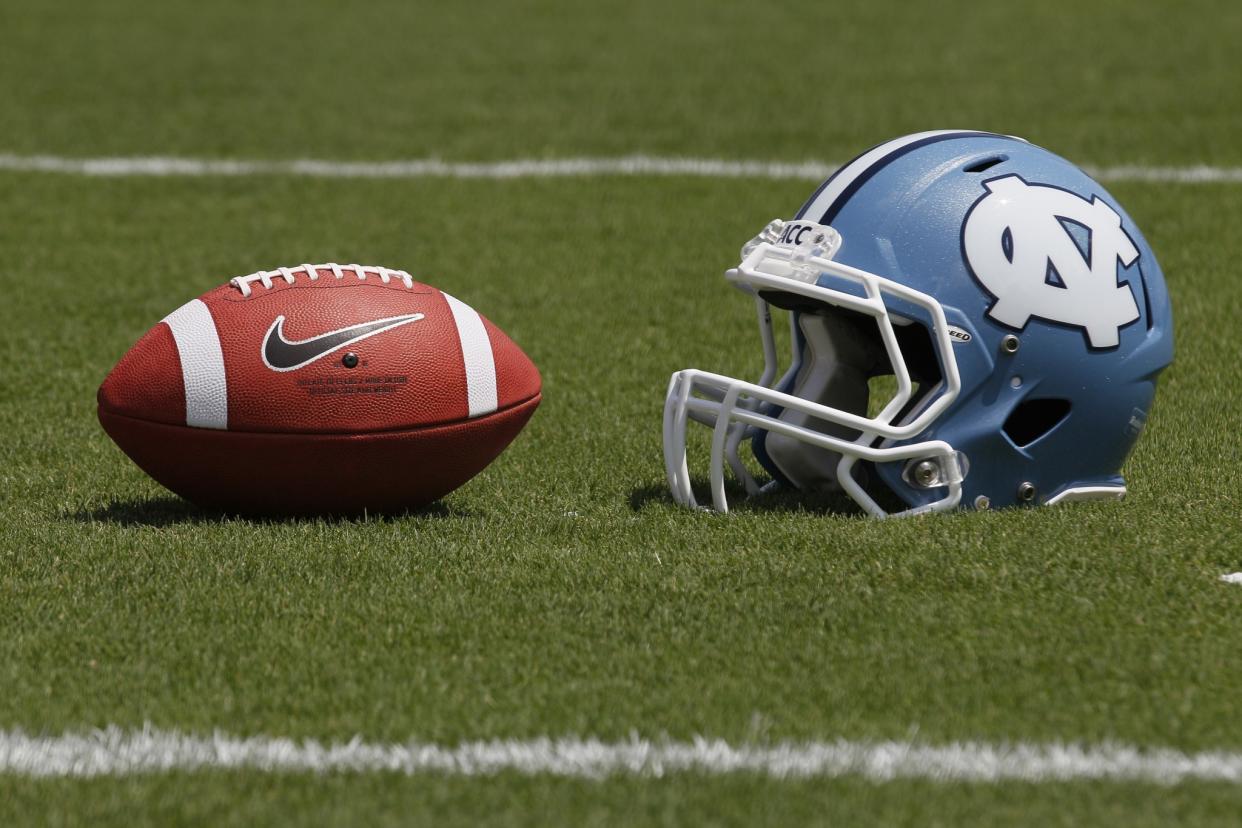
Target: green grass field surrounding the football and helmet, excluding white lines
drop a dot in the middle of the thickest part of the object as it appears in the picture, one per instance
(562, 593)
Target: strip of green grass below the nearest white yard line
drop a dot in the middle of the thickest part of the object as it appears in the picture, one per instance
(242, 800)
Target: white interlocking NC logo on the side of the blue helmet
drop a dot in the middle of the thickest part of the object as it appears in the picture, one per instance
(1019, 245)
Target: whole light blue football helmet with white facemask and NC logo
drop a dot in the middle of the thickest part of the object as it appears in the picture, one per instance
(1014, 301)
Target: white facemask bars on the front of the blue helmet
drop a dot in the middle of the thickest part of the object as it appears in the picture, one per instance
(733, 408)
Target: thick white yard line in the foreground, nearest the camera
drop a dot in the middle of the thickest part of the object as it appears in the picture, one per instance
(124, 753)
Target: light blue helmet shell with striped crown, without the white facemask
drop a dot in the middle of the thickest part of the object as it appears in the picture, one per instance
(1014, 243)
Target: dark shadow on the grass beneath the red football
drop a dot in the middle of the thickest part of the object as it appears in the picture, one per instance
(168, 511)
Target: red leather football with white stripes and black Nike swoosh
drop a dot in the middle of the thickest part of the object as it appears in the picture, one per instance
(320, 389)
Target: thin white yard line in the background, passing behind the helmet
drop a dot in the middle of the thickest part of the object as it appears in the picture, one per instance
(638, 166)
